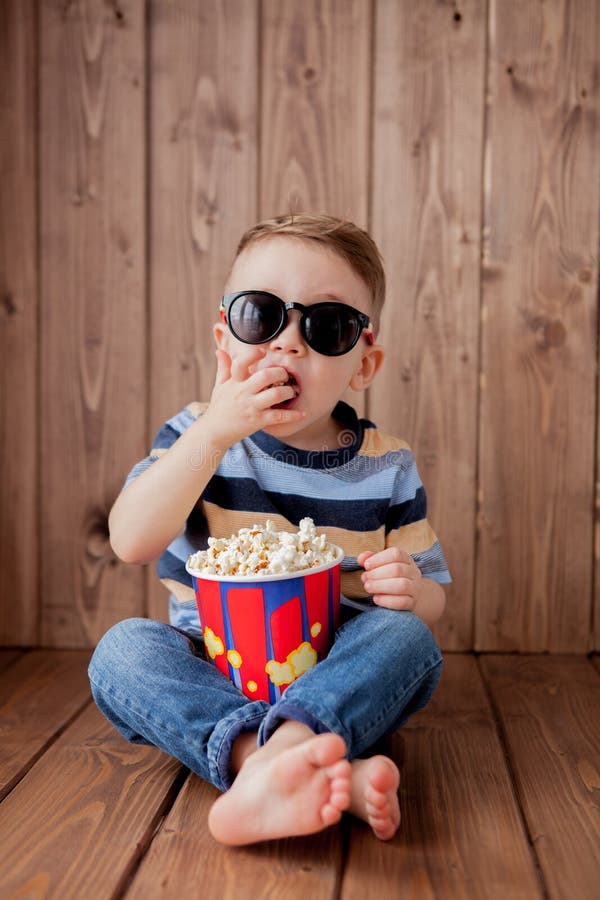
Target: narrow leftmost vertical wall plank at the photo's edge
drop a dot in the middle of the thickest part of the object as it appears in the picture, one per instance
(18, 325)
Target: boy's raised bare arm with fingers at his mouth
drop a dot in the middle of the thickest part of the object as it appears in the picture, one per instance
(152, 510)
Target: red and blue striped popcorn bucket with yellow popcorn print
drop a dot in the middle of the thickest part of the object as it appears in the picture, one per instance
(264, 632)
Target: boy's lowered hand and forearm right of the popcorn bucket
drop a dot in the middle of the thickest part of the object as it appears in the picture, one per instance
(395, 581)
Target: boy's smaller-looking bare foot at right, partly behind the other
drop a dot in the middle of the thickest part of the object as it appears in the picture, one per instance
(375, 784)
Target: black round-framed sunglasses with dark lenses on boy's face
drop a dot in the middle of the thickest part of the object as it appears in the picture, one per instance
(255, 317)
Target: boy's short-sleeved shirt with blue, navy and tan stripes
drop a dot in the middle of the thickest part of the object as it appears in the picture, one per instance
(366, 495)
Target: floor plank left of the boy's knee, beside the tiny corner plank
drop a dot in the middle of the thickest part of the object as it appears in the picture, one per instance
(39, 694)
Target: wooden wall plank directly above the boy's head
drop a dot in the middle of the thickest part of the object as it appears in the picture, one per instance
(315, 69)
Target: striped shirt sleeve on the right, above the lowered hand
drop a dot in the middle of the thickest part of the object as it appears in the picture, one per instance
(407, 526)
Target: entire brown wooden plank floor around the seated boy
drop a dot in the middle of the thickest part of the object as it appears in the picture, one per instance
(500, 797)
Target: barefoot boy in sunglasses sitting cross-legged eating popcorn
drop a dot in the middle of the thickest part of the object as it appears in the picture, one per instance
(276, 441)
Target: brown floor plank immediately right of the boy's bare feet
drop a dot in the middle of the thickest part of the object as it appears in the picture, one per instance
(461, 835)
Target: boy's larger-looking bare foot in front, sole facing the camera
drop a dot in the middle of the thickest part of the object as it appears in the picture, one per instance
(283, 790)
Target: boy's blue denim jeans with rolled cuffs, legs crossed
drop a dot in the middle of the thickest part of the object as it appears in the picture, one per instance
(153, 682)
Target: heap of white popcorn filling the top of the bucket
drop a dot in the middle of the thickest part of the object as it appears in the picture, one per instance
(262, 550)
